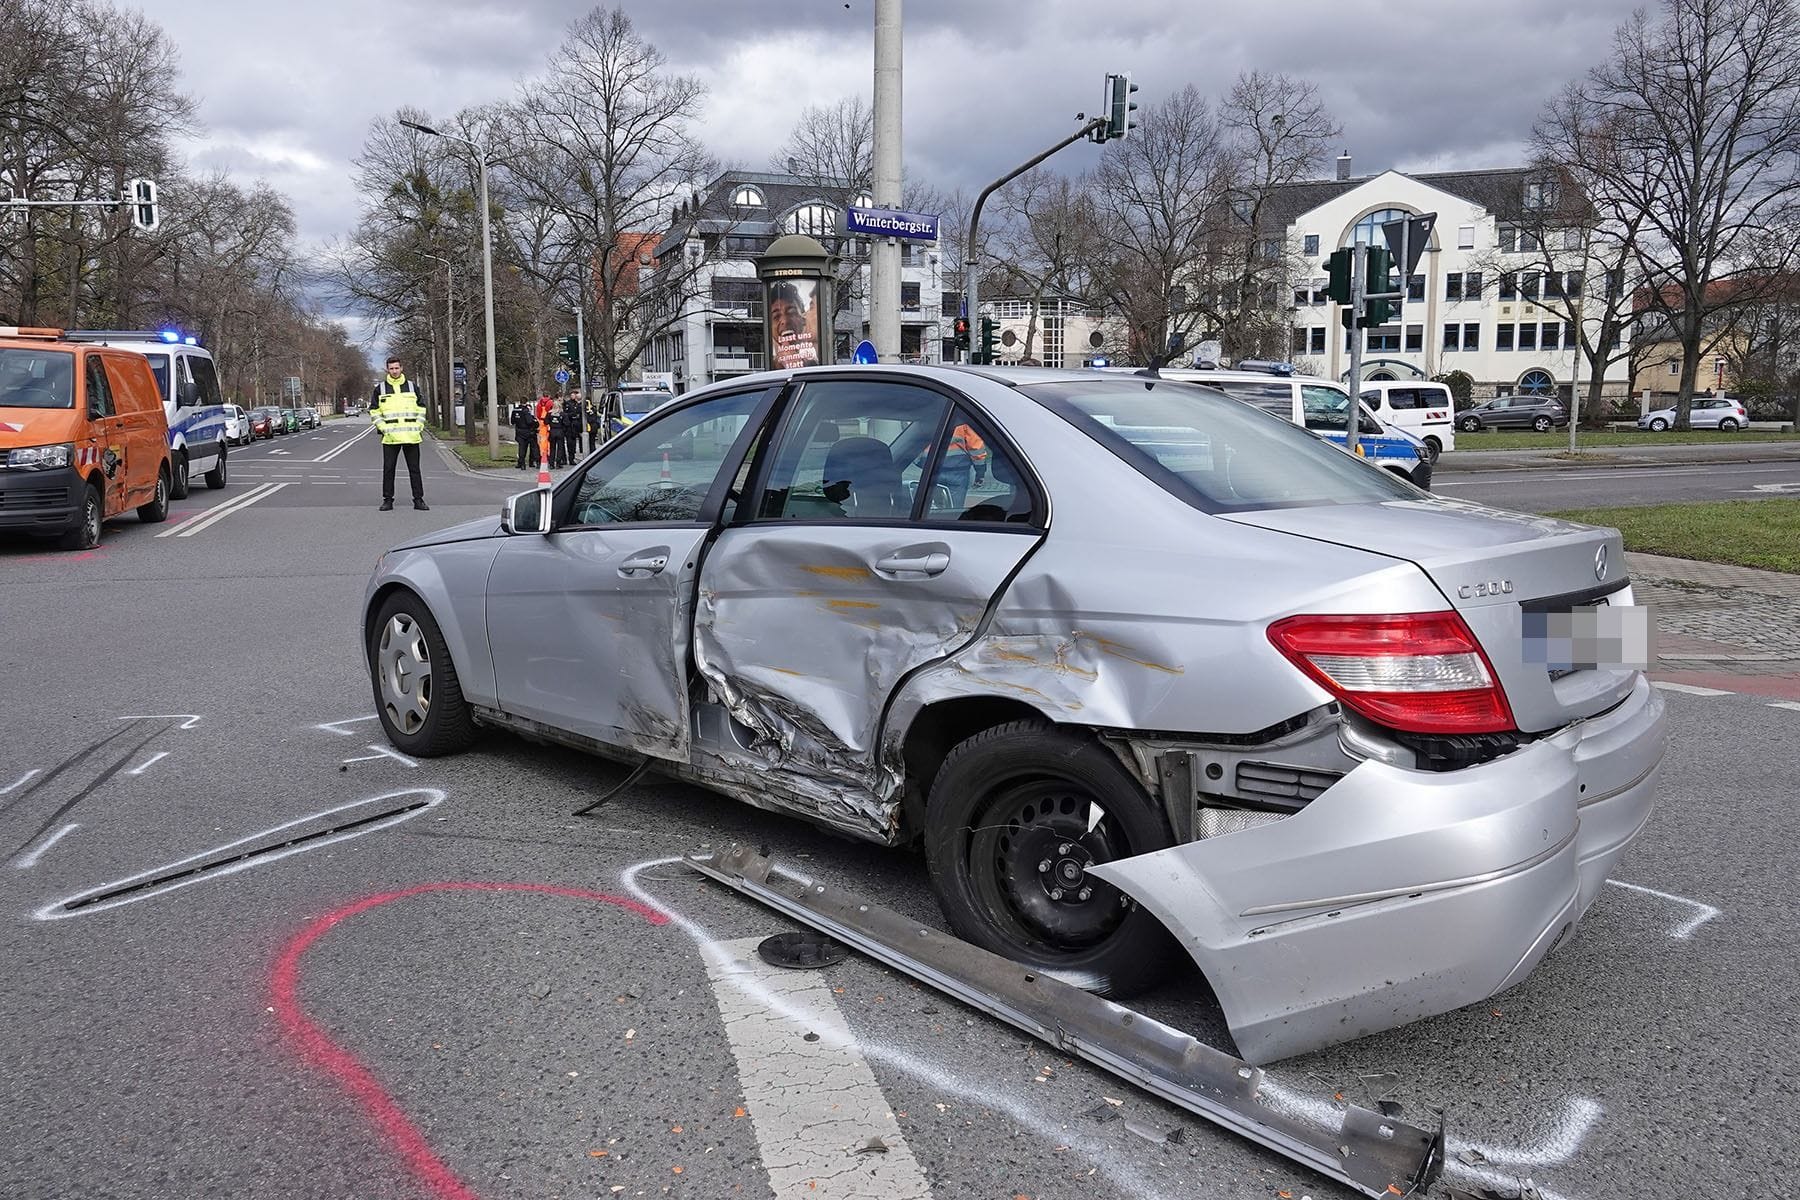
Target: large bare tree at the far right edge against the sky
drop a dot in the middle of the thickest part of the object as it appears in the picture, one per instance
(1700, 109)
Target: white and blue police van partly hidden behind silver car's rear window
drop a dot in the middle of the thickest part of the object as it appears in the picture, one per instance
(1318, 406)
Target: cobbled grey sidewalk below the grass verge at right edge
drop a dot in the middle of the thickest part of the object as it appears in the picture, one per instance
(1722, 627)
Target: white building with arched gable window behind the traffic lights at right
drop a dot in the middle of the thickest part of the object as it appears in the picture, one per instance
(1470, 305)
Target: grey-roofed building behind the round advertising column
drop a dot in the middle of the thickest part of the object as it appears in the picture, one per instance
(730, 224)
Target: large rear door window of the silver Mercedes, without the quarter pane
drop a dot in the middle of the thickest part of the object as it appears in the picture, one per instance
(852, 451)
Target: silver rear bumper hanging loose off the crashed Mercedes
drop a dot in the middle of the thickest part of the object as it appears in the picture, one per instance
(1401, 895)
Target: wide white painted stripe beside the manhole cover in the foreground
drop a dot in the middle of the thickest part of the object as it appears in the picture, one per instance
(811, 1104)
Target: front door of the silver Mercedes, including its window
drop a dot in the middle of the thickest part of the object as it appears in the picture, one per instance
(589, 623)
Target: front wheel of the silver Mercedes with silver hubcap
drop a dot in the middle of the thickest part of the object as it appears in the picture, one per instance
(417, 690)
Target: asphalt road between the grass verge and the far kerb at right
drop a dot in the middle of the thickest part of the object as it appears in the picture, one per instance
(1540, 490)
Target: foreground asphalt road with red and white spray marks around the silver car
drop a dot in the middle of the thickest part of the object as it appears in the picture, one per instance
(339, 1023)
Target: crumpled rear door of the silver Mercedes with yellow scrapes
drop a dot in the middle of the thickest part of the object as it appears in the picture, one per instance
(883, 523)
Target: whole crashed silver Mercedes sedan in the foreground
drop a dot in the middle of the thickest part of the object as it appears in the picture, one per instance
(1129, 658)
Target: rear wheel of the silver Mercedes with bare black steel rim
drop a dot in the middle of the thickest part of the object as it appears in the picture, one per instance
(1021, 796)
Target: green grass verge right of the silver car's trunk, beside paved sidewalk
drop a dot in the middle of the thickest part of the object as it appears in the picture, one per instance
(1745, 533)
